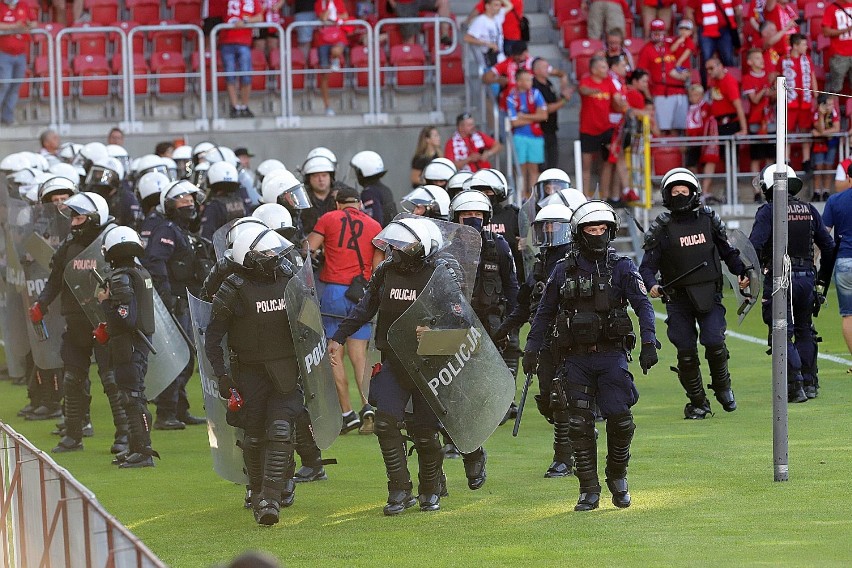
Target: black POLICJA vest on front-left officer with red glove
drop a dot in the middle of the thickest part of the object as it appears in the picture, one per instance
(261, 333)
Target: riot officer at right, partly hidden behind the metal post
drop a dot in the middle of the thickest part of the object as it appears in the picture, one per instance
(806, 229)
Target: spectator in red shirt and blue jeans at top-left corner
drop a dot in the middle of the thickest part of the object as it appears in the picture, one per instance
(15, 17)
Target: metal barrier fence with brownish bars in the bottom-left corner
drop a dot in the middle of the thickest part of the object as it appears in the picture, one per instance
(47, 518)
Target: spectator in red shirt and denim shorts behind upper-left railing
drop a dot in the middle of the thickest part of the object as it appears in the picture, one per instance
(235, 47)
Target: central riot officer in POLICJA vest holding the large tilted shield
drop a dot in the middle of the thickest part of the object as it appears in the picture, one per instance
(411, 250)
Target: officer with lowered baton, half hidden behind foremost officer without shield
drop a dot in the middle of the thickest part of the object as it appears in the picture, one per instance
(551, 232)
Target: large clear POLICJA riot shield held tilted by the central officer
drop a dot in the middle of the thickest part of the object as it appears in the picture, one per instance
(451, 359)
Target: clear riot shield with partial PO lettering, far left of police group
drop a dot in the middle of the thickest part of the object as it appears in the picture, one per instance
(36, 232)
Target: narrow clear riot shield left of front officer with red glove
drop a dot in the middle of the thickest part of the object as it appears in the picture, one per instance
(227, 456)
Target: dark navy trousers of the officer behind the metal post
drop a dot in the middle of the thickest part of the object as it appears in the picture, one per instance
(801, 339)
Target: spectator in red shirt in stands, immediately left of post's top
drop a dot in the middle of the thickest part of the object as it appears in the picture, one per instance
(759, 93)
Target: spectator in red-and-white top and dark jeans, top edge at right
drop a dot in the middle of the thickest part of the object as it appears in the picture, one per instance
(718, 28)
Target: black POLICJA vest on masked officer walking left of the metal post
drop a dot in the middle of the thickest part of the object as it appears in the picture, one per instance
(690, 244)
